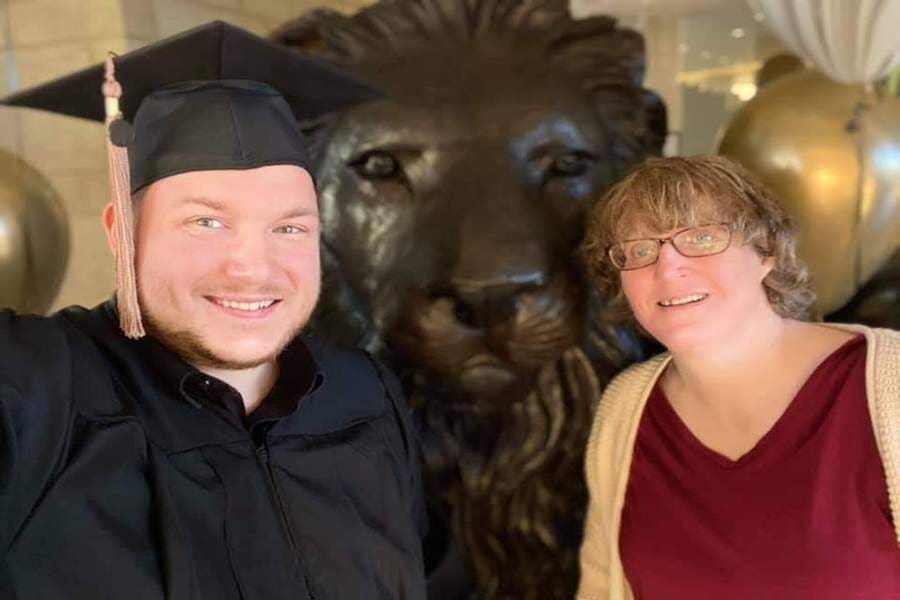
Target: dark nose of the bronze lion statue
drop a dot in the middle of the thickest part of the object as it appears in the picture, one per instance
(485, 305)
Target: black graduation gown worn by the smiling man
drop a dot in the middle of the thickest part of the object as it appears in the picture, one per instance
(126, 474)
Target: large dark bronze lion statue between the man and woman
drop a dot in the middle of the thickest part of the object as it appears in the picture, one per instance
(452, 212)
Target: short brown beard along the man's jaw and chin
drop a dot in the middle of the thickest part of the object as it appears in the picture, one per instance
(192, 349)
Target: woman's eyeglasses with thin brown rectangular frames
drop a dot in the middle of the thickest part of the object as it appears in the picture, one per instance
(691, 242)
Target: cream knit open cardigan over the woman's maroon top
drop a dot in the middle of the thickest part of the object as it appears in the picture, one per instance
(611, 445)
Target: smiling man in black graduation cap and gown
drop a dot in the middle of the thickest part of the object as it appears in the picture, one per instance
(221, 455)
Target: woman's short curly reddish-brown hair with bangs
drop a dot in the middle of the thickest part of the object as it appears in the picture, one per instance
(662, 194)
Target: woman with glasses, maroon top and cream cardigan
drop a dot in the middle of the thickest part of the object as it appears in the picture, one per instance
(760, 456)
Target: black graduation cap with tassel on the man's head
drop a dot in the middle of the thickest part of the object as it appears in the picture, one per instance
(214, 97)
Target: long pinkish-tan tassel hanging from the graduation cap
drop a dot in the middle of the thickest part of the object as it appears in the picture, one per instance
(123, 229)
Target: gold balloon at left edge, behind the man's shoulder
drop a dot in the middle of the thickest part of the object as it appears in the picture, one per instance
(34, 238)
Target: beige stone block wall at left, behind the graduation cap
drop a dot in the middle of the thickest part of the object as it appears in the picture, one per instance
(43, 39)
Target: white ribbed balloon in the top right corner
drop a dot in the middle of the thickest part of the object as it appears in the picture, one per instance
(851, 41)
